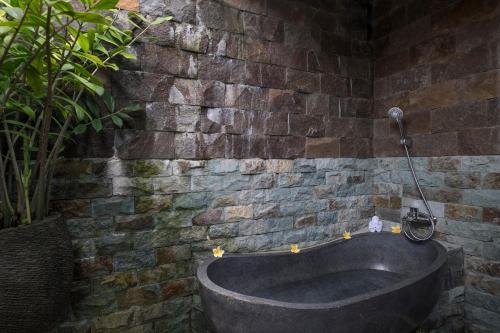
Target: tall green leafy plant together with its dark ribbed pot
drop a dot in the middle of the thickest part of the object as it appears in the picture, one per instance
(52, 55)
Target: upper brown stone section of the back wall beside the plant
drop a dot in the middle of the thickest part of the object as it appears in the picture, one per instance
(243, 79)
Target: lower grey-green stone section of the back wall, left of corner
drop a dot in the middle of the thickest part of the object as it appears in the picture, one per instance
(140, 227)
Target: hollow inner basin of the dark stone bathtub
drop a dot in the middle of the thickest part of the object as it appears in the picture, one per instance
(327, 273)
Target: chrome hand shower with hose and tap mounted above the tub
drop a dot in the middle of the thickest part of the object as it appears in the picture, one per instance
(414, 217)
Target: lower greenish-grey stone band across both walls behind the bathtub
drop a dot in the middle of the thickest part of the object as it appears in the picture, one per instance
(140, 227)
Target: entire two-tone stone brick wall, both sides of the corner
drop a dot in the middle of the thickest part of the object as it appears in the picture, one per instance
(236, 94)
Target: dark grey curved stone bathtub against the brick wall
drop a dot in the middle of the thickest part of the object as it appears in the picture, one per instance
(370, 283)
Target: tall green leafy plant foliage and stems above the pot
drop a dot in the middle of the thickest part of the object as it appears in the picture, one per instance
(52, 53)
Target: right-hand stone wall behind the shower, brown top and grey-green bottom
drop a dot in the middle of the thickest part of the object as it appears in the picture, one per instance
(439, 61)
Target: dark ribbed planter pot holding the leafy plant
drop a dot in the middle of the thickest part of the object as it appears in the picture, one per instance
(36, 271)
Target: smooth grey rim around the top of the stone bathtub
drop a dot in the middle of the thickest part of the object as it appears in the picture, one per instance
(206, 282)
